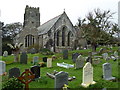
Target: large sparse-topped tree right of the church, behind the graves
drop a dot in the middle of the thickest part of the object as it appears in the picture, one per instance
(98, 26)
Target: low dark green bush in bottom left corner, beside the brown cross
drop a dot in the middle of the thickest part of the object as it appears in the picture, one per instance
(12, 83)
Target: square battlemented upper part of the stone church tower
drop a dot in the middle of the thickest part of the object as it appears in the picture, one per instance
(31, 17)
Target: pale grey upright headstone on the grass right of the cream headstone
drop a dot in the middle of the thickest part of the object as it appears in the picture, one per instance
(107, 72)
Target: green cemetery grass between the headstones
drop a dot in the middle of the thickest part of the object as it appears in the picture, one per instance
(46, 82)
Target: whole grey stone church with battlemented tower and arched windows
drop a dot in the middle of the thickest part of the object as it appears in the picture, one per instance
(55, 34)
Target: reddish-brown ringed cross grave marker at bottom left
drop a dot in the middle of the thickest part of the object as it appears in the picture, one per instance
(26, 77)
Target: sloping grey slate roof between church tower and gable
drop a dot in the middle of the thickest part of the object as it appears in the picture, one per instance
(44, 28)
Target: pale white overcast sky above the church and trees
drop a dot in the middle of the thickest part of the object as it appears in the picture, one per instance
(13, 10)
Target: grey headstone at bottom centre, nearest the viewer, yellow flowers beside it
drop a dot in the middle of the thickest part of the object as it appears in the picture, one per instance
(61, 78)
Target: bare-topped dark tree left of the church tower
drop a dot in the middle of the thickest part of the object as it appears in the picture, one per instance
(8, 33)
